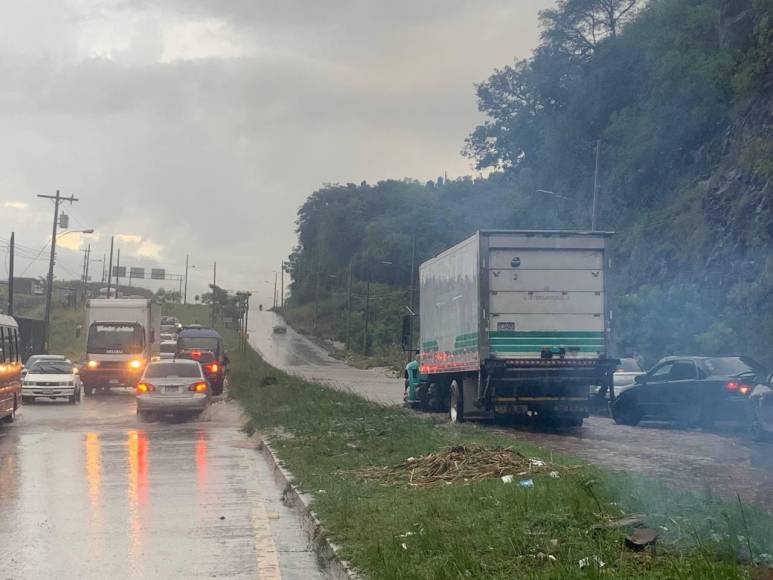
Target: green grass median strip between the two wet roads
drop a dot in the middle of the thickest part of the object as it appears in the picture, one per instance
(331, 441)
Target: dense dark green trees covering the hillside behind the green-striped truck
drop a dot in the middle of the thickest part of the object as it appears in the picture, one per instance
(678, 95)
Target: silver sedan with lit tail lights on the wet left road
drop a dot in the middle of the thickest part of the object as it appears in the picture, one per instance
(172, 386)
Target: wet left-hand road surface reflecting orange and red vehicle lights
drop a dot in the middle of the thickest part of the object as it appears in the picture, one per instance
(88, 492)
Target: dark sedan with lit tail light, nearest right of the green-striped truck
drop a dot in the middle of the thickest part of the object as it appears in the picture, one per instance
(694, 391)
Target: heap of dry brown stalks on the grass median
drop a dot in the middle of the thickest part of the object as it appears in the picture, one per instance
(463, 463)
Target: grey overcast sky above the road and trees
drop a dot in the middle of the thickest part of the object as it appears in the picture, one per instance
(200, 126)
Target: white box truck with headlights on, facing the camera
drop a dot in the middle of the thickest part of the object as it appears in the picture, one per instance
(122, 336)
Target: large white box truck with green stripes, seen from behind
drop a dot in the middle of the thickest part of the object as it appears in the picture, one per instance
(514, 323)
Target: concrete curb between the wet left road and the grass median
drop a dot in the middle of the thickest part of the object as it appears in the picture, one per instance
(327, 552)
